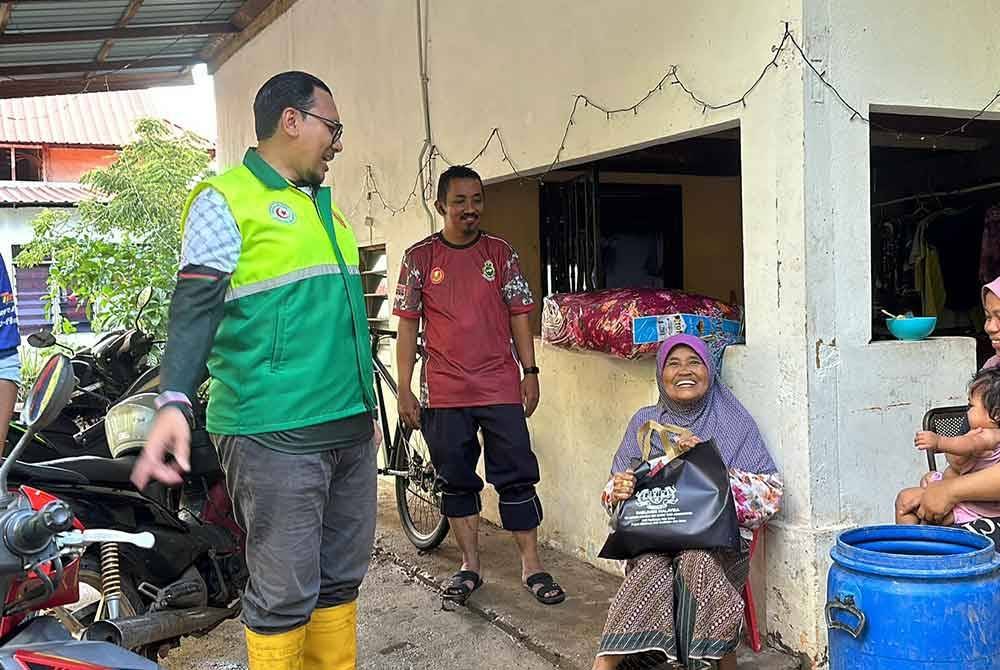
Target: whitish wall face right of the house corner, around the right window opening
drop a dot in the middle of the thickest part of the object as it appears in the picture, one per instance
(865, 400)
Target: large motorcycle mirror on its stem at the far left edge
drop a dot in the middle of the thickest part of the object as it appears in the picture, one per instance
(48, 396)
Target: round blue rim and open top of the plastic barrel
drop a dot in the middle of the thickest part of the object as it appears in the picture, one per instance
(916, 551)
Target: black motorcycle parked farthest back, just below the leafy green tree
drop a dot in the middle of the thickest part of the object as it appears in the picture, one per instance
(116, 366)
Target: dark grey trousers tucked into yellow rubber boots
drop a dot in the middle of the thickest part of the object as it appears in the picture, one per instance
(310, 525)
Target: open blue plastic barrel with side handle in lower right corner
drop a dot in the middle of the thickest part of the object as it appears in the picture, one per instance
(912, 597)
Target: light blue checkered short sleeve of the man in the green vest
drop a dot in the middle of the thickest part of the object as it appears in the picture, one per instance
(211, 236)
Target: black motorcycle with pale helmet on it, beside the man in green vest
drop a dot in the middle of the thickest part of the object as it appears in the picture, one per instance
(194, 578)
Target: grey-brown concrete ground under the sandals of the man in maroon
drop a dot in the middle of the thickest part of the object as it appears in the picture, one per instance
(402, 625)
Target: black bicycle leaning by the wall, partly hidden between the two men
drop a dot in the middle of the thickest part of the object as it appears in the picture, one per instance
(407, 458)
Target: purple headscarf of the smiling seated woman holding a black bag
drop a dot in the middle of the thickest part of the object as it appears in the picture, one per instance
(718, 415)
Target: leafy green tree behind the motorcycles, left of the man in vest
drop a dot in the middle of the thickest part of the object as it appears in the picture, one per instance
(127, 236)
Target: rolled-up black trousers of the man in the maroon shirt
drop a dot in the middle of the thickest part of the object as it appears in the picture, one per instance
(511, 466)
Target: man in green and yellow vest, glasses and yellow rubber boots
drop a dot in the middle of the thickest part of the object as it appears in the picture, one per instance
(270, 299)
